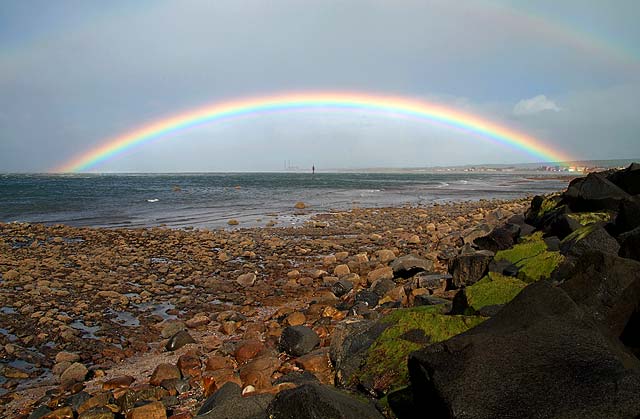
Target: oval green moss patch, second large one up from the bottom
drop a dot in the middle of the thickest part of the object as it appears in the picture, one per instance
(493, 289)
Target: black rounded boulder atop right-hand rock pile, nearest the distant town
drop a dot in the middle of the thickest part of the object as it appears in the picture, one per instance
(593, 193)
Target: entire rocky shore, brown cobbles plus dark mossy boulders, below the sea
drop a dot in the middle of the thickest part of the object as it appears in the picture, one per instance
(500, 308)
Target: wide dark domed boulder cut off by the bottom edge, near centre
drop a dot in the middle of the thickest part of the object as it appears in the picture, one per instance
(315, 401)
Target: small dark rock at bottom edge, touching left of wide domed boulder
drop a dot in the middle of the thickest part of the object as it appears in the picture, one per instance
(228, 403)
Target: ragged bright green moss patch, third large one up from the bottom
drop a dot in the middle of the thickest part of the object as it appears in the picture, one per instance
(532, 258)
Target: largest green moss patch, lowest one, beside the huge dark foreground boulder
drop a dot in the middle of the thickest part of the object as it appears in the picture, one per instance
(386, 362)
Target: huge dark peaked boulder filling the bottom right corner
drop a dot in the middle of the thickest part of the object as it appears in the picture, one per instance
(539, 357)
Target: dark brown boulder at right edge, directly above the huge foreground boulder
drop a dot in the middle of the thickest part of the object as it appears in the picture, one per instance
(606, 287)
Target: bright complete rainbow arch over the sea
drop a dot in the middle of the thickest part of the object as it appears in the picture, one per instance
(402, 106)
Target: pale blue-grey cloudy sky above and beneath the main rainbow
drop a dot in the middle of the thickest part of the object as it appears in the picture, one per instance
(74, 74)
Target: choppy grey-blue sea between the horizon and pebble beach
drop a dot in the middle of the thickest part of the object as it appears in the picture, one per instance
(209, 200)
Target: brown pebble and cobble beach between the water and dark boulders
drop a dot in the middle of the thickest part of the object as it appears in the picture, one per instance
(109, 294)
